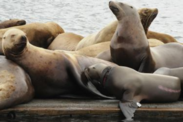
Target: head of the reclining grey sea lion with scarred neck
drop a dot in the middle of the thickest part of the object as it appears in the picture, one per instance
(94, 72)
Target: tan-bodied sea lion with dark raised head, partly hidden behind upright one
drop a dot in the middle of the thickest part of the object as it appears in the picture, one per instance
(147, 15)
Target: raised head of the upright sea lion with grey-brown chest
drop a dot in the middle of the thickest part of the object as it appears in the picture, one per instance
(121, 10)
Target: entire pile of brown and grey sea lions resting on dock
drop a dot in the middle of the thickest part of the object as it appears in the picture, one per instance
(124, 60)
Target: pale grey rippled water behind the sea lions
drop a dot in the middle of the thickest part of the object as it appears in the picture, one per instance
(85, 17)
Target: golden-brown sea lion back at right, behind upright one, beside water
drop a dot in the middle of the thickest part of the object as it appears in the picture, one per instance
(165, 38)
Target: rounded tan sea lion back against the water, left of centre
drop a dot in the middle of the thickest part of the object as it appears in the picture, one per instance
(65, 41)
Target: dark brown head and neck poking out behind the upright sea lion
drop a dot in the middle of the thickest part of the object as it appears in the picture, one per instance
(147, 15)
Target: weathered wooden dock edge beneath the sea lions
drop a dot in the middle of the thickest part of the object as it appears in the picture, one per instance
(80, 110)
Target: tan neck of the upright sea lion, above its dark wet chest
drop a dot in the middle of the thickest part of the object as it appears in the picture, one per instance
(130, 26)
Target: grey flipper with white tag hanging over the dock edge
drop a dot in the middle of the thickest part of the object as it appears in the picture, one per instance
(129, 108)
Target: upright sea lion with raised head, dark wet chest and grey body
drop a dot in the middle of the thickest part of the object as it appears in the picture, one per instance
(129, 46)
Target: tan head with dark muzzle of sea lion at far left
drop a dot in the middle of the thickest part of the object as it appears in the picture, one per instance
(14, 41)
